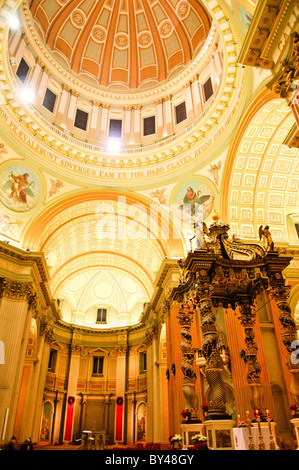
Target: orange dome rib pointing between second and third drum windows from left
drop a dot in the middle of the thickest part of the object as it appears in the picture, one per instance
(82, 41)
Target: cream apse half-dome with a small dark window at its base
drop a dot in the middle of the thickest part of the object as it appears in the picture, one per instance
(121, 293)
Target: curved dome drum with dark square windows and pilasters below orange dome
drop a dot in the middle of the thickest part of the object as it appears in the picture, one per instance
(73, 112)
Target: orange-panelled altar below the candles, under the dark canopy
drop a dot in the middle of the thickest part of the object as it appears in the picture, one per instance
(241, 436)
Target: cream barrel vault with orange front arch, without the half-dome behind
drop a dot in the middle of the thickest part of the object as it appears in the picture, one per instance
(104, 232)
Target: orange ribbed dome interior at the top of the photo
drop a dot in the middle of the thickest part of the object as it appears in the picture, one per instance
(122, 44)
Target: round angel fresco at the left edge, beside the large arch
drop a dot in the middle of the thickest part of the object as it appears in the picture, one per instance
(19, 189)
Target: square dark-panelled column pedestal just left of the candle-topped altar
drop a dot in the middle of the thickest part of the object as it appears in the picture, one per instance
(220, 434)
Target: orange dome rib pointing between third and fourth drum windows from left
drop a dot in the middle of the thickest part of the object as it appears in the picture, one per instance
(107, 54)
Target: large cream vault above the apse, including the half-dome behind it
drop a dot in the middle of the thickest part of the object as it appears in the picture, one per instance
(111, 240)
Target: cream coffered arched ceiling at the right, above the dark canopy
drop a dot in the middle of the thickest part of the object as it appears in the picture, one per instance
(264, 175)
